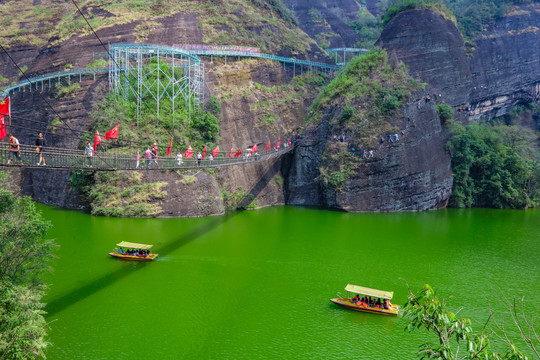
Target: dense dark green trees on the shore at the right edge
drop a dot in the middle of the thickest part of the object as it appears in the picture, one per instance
(494, 166)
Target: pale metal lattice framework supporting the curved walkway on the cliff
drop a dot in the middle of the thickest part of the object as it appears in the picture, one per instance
(136, 71)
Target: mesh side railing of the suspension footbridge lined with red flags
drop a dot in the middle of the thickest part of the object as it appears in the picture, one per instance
(77, 159)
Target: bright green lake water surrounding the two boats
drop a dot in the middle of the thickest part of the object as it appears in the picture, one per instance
(257, 284)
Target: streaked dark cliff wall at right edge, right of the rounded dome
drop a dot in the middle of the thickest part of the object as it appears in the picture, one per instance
(505, 63)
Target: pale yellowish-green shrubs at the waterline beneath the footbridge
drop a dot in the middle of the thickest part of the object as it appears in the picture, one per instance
(117, 193)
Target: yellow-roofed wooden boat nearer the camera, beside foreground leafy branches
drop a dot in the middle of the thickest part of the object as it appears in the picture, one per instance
(350, 303)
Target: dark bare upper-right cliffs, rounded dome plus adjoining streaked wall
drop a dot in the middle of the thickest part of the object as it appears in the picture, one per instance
(503, 69)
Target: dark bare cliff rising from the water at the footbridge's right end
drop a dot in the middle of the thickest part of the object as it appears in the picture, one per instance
(412, 173)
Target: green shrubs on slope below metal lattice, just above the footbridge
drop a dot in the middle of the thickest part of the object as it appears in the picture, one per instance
(202, 128)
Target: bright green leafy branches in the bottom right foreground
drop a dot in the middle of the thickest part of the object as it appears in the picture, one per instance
(456, 338)
